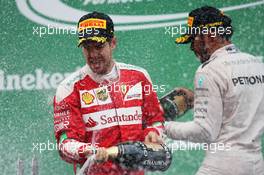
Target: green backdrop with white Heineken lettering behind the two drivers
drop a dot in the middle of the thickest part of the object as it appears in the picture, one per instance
(32, 64)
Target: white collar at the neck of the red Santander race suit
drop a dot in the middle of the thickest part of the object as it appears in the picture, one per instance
(106, 79)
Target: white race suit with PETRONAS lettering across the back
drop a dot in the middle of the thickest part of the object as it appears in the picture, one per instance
(228, 114)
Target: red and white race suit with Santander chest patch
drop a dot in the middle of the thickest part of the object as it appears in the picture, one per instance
(101, 111)
